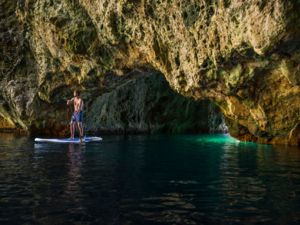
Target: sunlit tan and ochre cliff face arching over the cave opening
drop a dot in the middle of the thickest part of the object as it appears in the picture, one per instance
(242, 55)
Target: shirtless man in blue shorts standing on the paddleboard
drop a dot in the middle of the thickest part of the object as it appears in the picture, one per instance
(77, 115)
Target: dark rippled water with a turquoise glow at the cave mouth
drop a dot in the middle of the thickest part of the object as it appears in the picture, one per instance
(186, 179)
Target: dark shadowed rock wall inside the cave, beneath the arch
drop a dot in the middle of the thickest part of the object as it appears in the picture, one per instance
(143, 102)
